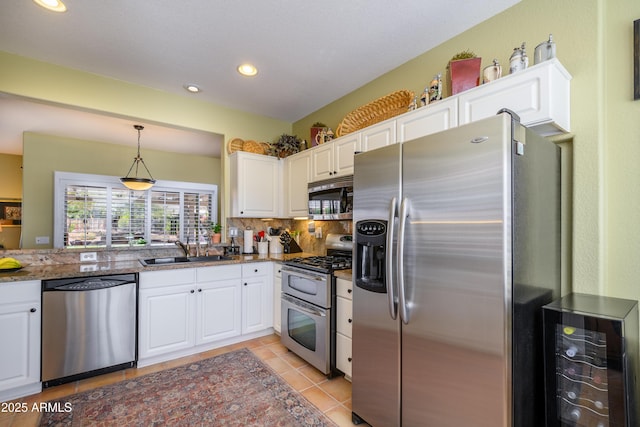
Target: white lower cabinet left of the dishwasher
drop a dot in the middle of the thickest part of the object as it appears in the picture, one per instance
(20, 313)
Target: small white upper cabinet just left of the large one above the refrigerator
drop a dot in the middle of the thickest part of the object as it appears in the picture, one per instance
(436, 117)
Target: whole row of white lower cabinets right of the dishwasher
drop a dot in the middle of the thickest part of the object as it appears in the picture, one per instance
(184, 311)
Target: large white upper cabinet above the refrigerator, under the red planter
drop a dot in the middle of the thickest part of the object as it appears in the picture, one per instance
(539, 95)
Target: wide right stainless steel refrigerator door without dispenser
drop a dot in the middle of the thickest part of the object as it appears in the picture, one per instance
(455, 363)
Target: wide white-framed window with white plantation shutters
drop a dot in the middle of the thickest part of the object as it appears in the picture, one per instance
(97, 211)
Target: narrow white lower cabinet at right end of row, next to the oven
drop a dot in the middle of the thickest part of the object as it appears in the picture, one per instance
(257, 297)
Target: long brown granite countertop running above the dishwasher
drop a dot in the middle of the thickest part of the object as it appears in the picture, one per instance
(56, 271)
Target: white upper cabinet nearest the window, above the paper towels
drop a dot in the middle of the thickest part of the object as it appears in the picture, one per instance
(256, 185)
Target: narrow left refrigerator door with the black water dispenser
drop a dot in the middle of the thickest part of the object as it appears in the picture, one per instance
(376, 336)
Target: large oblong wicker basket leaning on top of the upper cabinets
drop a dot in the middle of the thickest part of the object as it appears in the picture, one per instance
(376, 111)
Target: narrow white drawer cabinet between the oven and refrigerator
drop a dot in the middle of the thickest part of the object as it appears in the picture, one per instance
(344, 322)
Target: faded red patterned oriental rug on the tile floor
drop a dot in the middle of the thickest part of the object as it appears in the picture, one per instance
(232, 389)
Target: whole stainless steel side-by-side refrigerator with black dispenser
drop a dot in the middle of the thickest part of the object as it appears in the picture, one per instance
(456, 248)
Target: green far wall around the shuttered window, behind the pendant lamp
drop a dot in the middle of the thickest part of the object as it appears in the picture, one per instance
(45, 154)
